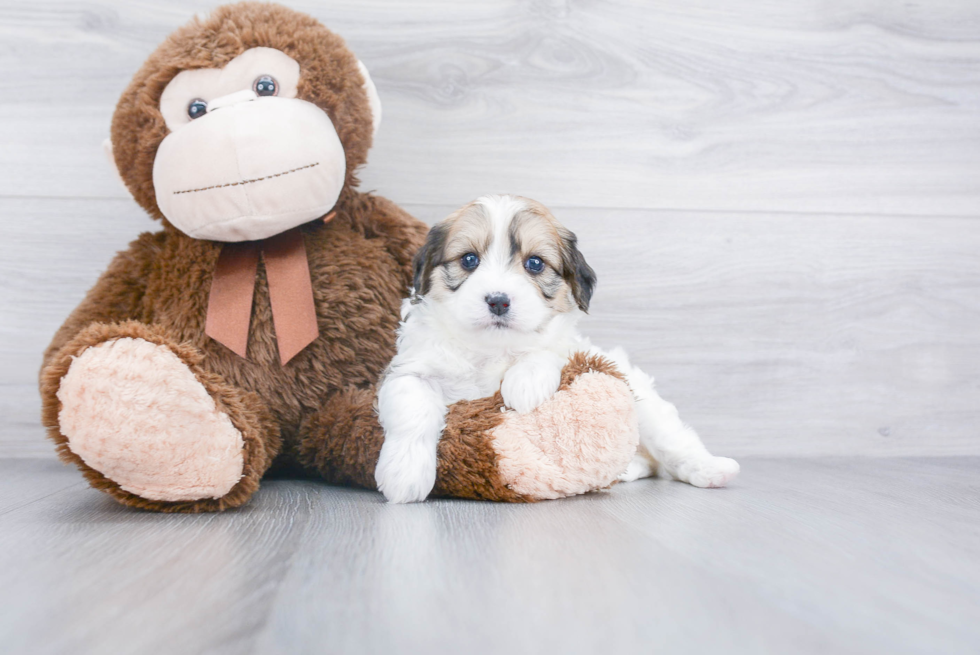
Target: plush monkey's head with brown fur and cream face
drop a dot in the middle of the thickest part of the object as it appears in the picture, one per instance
(245, 124)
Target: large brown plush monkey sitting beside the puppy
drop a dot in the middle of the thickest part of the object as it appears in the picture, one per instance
(253, 327)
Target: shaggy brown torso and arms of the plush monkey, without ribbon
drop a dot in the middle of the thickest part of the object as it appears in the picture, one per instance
(158, 290)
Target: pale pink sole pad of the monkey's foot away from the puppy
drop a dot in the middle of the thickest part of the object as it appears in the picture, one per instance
(133, 411)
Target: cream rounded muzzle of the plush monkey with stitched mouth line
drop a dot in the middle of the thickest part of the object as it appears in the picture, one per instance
(251, 168)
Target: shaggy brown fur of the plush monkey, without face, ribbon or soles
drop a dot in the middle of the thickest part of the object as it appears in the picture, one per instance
(314, 415)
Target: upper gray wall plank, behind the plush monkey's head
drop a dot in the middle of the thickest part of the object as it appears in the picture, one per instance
(863, 107)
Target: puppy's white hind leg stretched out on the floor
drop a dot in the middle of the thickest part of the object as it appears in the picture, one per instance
(673, 445)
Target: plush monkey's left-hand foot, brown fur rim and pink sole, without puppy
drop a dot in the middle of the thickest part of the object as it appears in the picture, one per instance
(145, 422)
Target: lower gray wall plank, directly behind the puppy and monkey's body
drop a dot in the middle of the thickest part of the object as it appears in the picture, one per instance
(774, 333)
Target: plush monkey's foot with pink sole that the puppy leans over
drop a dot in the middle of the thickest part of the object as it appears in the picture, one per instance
(579, 440)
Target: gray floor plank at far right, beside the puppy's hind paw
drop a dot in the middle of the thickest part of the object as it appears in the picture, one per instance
(814, 524)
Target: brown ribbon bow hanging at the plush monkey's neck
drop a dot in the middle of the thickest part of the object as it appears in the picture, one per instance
(290, 293)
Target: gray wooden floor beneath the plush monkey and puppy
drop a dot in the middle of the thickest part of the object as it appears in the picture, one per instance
(817, 555)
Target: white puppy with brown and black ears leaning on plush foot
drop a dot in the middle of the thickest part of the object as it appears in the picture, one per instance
(499, 288)
